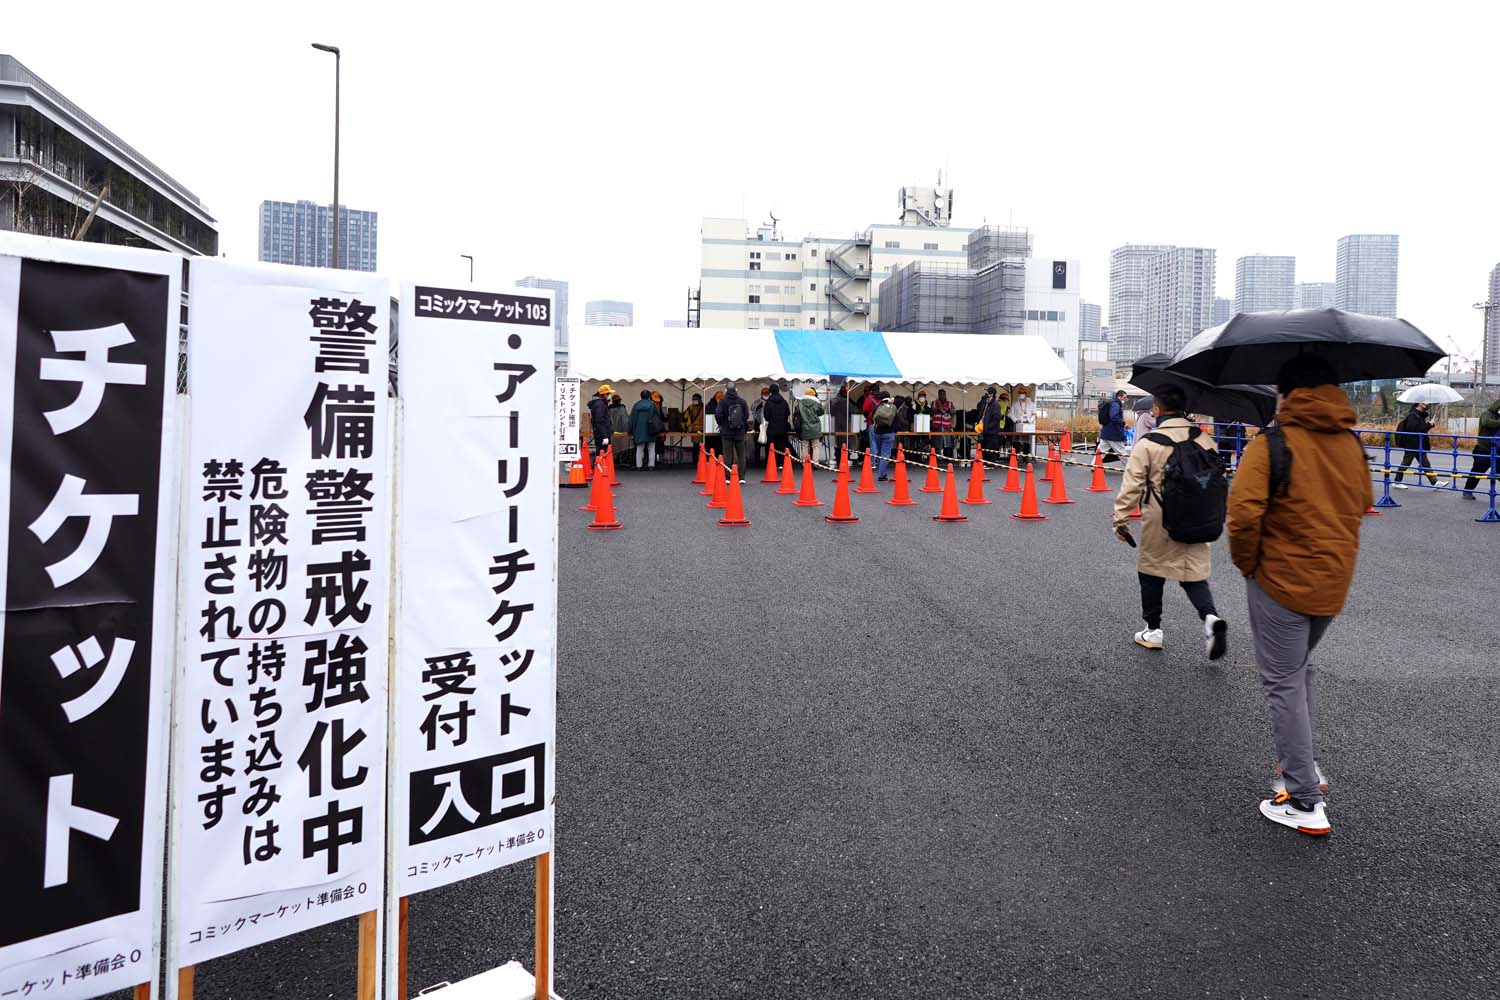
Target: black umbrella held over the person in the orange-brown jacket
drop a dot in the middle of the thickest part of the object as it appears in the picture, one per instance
(1253, 347)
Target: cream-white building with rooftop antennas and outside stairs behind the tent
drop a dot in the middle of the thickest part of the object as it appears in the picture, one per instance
(758, 280)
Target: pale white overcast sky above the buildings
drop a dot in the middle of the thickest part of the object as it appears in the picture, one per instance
(587, 142)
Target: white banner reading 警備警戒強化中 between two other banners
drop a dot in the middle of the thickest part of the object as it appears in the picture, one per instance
(280, 773)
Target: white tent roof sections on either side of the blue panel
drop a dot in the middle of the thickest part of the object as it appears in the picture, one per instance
(643, 355)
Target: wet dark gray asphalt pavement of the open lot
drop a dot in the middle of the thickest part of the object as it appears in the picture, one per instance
(910, 759)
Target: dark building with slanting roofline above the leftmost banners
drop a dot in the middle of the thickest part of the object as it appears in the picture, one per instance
(64, 175)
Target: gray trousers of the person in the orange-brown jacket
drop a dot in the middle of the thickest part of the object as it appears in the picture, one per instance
(1285, 641)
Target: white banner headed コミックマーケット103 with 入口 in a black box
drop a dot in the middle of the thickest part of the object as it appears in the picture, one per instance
(476, 636)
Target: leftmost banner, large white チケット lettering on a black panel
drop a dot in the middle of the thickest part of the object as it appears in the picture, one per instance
(88, 493)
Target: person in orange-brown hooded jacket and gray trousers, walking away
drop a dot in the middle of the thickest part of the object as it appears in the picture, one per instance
(1294, 531)
